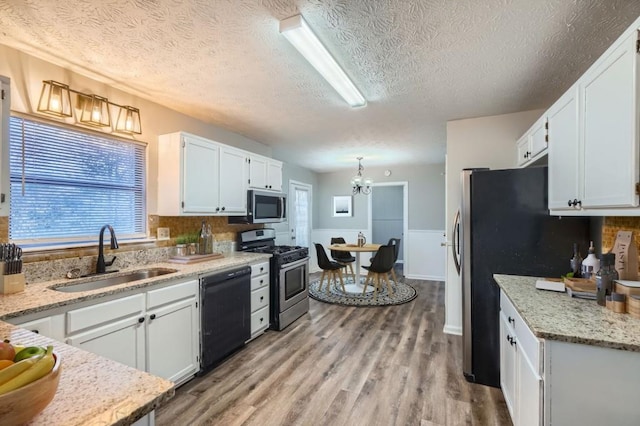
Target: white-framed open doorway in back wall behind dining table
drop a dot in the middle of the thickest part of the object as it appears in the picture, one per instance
(388, 214)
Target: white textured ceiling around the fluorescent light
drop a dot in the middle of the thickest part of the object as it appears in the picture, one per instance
(418, 63)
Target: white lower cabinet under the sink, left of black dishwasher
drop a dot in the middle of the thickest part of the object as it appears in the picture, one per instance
(157, 331)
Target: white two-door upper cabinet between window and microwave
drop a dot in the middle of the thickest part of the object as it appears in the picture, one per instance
(197, 176)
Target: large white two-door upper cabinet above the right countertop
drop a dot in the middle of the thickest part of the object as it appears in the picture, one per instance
(594, 136)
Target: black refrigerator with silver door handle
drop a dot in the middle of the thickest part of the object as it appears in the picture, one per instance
(504, 227)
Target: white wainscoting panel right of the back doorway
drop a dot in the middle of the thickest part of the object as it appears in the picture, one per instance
(424, 255)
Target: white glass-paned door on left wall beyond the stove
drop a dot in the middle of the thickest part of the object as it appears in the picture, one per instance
(300, 197)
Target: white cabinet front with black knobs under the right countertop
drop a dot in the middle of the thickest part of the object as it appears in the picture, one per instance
(520, 367)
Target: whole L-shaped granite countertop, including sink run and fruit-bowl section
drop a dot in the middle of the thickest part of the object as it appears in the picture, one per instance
(93, 389)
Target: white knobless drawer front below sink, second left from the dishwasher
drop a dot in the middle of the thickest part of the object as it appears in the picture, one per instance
(91, 316)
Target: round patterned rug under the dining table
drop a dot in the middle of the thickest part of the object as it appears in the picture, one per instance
(402, 293)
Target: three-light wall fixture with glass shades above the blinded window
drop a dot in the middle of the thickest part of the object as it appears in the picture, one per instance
(55, 99)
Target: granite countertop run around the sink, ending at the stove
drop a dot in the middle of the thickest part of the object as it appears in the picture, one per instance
(39, 297)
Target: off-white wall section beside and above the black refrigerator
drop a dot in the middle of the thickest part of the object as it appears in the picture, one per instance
(475, 142)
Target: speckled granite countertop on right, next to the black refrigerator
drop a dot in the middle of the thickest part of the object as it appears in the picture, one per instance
(556, 316)
